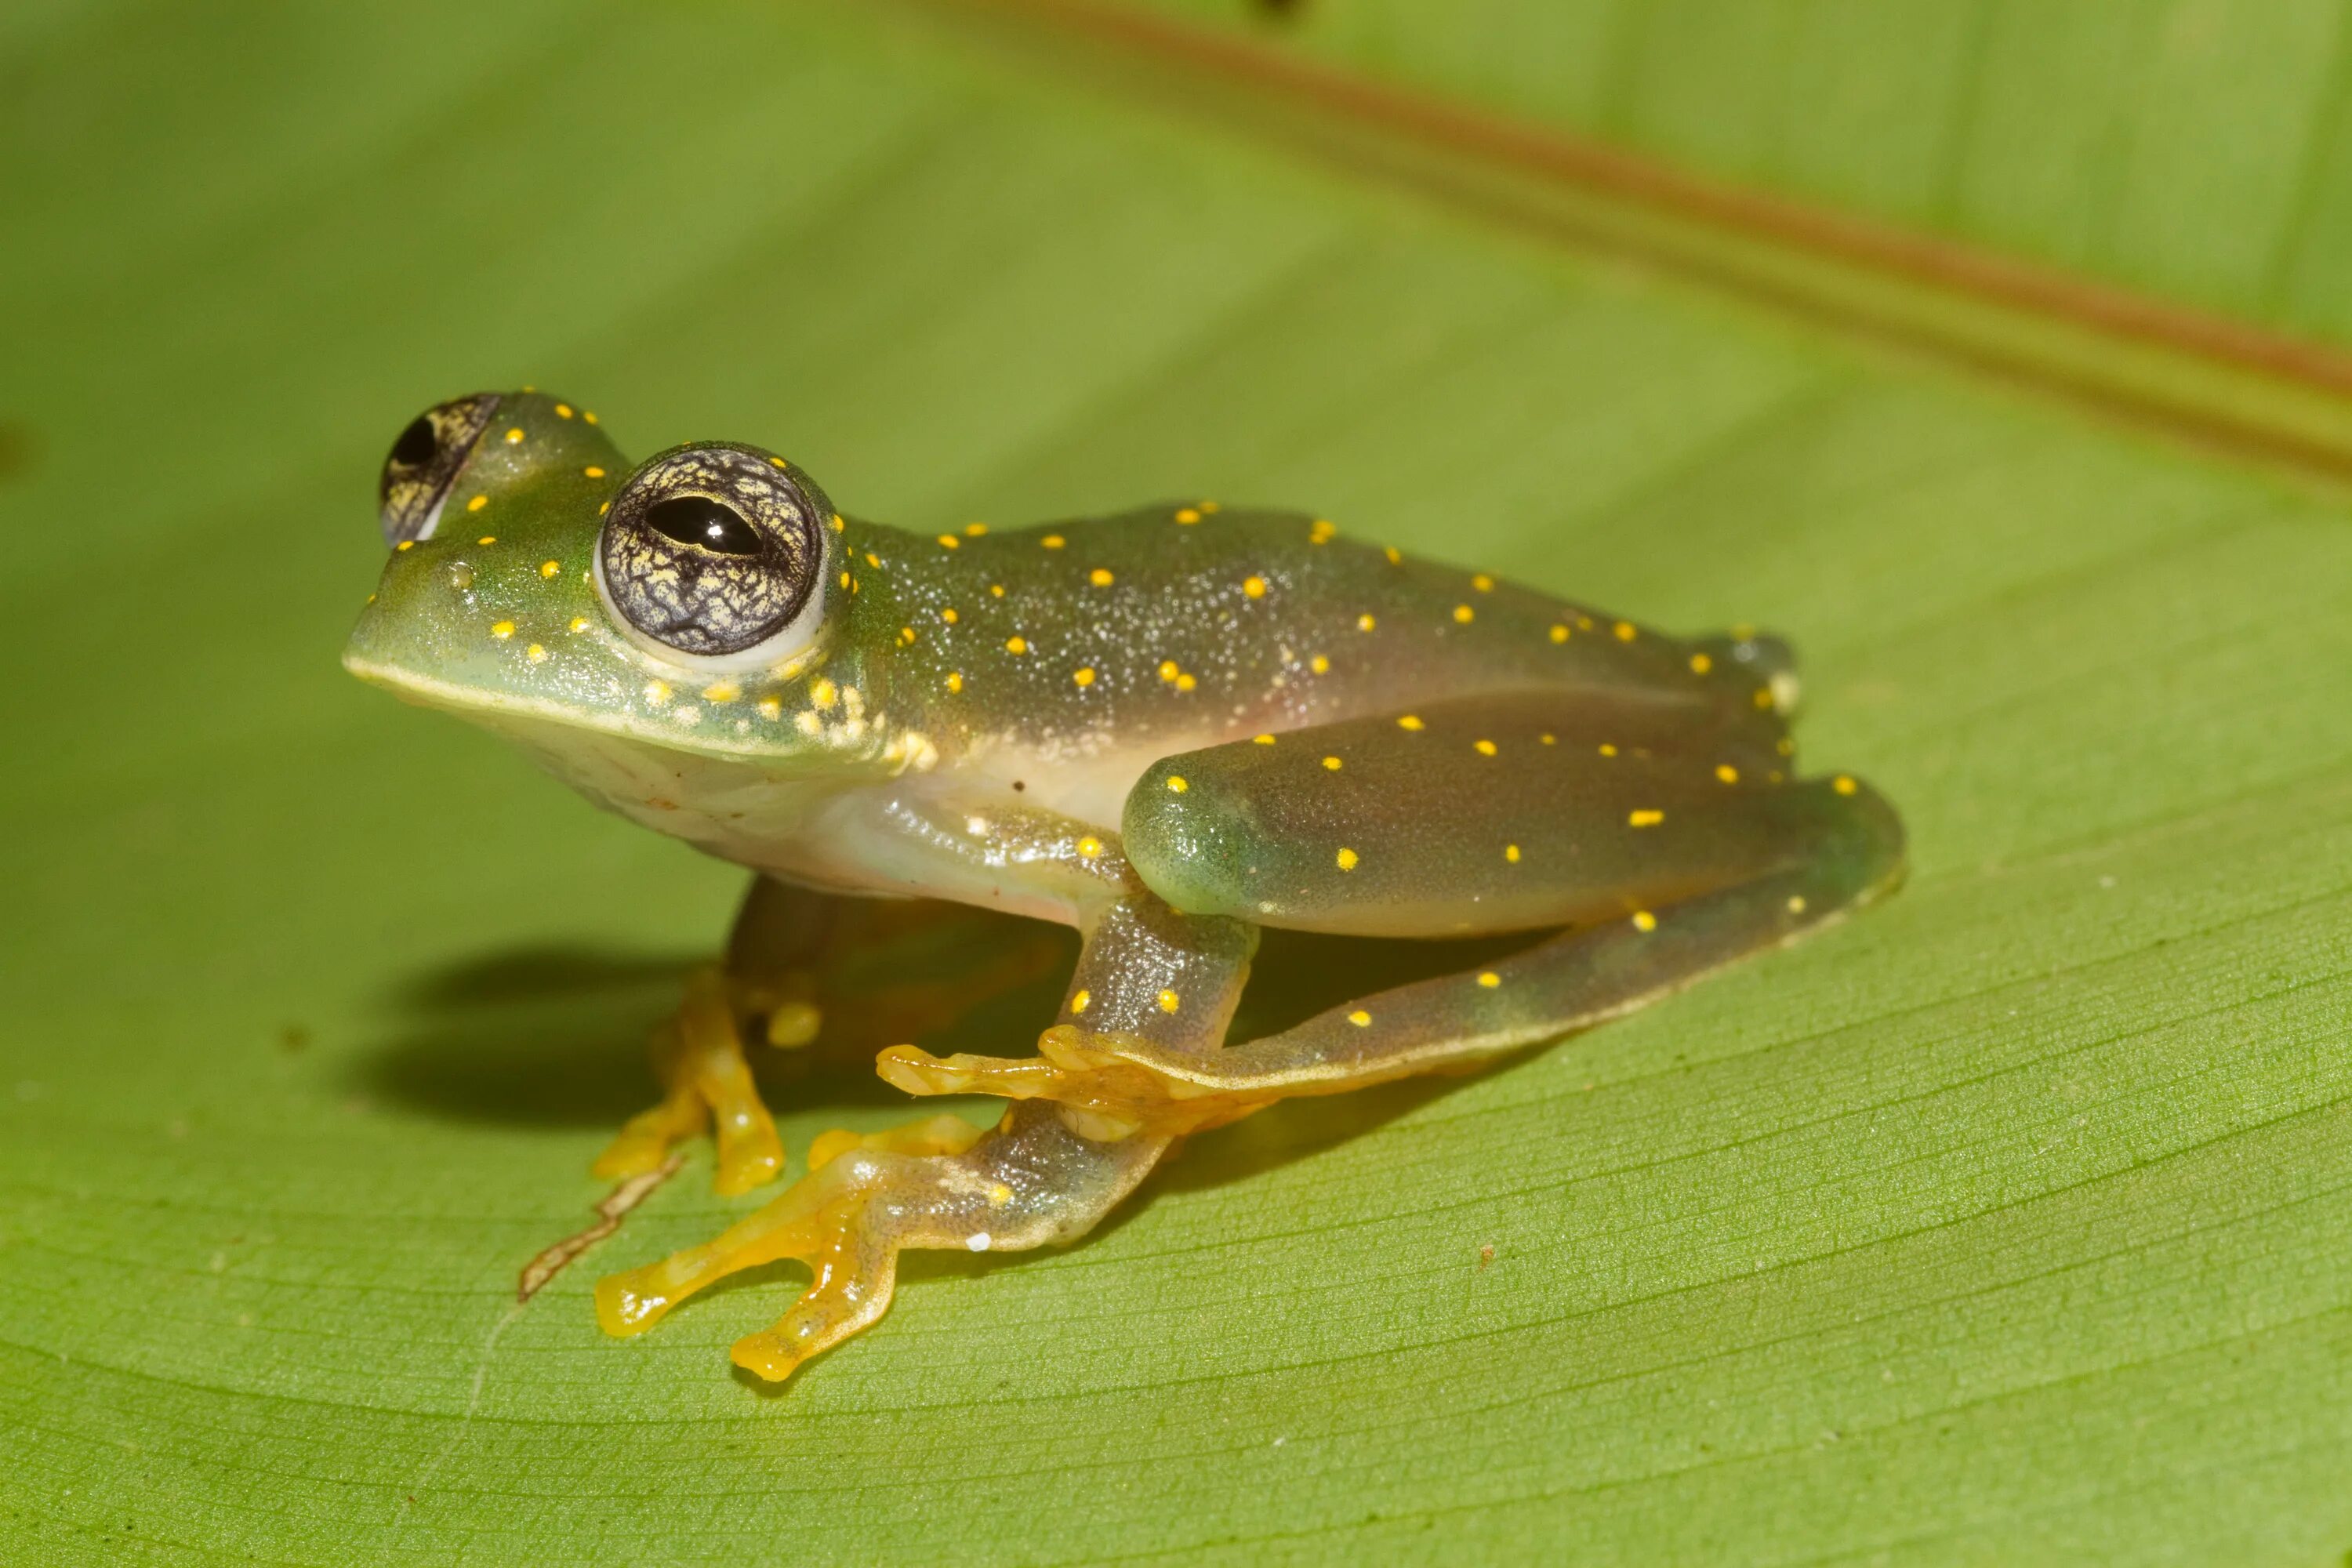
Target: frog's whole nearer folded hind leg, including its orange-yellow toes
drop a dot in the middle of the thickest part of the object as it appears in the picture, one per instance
(1666, 847)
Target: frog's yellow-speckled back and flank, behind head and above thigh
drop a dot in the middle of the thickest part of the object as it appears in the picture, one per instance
(1189, 624)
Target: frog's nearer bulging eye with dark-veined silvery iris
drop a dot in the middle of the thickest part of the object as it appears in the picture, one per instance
(716, 554)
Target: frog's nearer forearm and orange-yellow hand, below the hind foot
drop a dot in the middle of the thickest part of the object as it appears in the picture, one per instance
(937, 1184)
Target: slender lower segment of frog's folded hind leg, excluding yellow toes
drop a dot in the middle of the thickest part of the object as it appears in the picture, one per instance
(1843, 847)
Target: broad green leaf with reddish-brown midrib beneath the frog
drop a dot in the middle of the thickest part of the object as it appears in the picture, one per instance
(2003, 1224)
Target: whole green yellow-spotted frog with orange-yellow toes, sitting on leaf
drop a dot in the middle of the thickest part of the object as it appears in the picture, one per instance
(1168, 730)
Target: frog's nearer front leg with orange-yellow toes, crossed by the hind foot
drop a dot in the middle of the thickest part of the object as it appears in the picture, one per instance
(1048, 1172)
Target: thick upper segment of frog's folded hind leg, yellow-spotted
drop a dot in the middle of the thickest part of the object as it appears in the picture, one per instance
(1483, 815)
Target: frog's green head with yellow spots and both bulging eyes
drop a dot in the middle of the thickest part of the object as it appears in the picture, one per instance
(549, 589)
